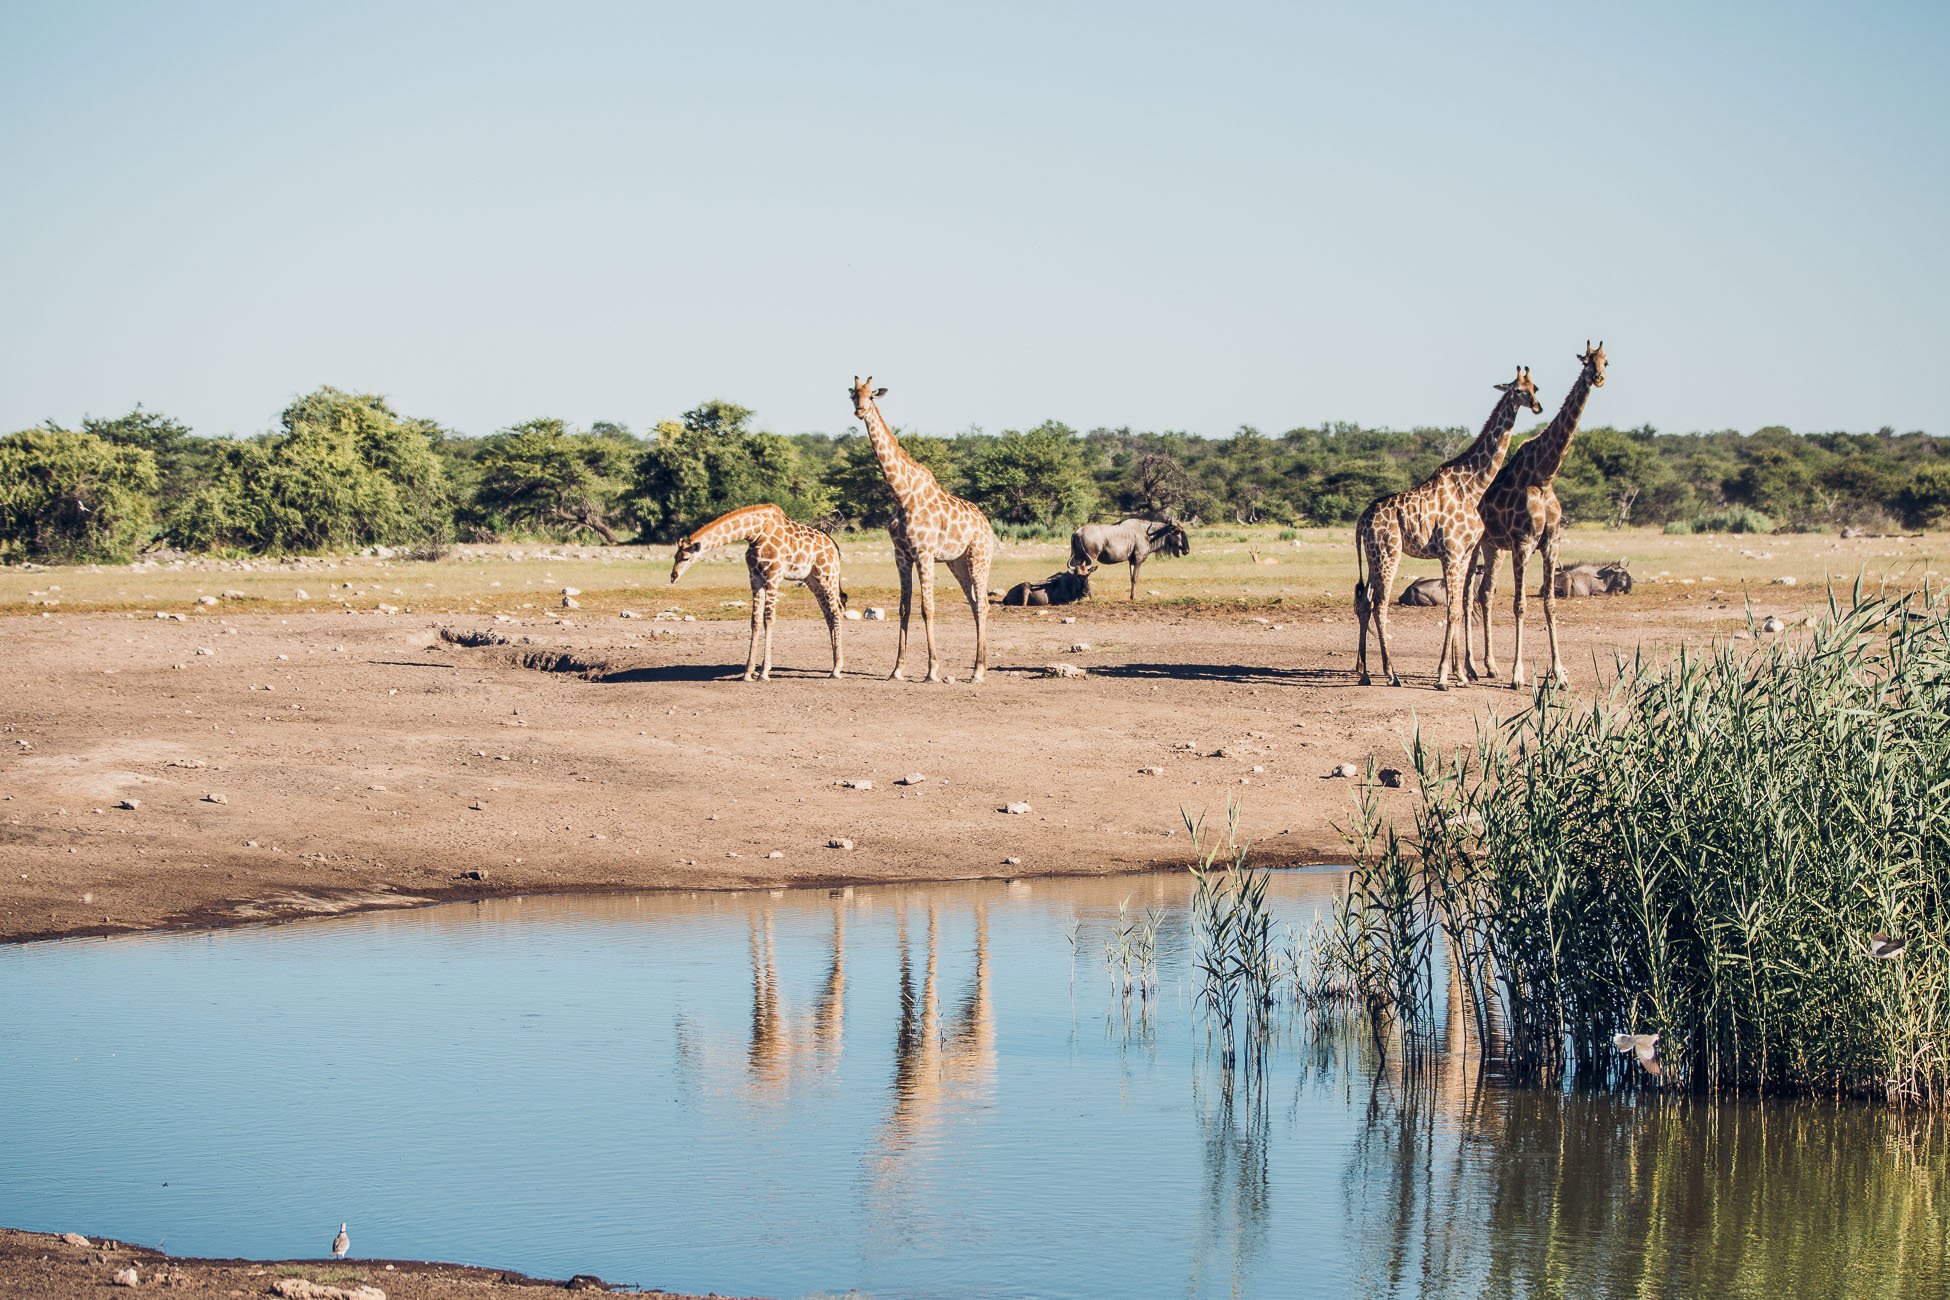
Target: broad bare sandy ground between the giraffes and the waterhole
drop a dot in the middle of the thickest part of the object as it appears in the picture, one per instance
(305, 763)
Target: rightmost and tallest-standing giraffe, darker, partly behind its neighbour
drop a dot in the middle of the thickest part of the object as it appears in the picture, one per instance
(1520, 514)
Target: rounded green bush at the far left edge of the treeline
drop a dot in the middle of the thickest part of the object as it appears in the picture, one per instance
(75, 496)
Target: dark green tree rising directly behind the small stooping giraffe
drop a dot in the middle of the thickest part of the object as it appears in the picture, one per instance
(715, 461)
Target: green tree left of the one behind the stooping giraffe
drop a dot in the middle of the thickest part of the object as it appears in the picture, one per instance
(541, 475)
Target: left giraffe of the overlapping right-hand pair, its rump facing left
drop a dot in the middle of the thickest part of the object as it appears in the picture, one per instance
(1434, 521)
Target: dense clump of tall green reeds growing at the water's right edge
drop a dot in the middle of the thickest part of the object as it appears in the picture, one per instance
(1701, 853)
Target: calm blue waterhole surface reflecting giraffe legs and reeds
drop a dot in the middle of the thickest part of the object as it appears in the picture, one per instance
(894, 1090)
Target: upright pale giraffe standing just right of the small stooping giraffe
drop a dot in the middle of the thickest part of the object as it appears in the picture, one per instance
(929, 525)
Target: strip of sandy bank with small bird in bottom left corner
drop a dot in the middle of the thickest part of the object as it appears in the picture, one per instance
(46, 1268)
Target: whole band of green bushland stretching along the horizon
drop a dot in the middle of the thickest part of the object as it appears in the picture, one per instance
(348, 471)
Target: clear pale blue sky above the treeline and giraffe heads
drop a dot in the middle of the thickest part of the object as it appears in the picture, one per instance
(1118, 213)
